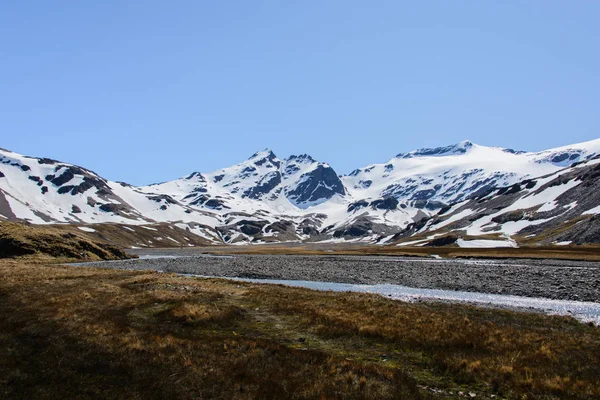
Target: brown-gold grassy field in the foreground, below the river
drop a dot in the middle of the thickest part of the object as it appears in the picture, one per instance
(68, 332)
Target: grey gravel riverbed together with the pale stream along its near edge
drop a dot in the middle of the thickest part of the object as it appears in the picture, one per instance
(550, 286)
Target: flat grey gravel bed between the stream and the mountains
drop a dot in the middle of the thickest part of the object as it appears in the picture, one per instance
(553, 279)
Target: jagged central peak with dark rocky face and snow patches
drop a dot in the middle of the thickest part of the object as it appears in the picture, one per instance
(262, 182)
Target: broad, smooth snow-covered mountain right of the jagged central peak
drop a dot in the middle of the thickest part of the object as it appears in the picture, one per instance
(452, 173)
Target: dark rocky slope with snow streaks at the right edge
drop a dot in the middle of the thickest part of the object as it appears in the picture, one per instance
(558, 208)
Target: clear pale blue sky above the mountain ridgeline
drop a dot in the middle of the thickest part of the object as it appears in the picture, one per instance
(145, 91)
